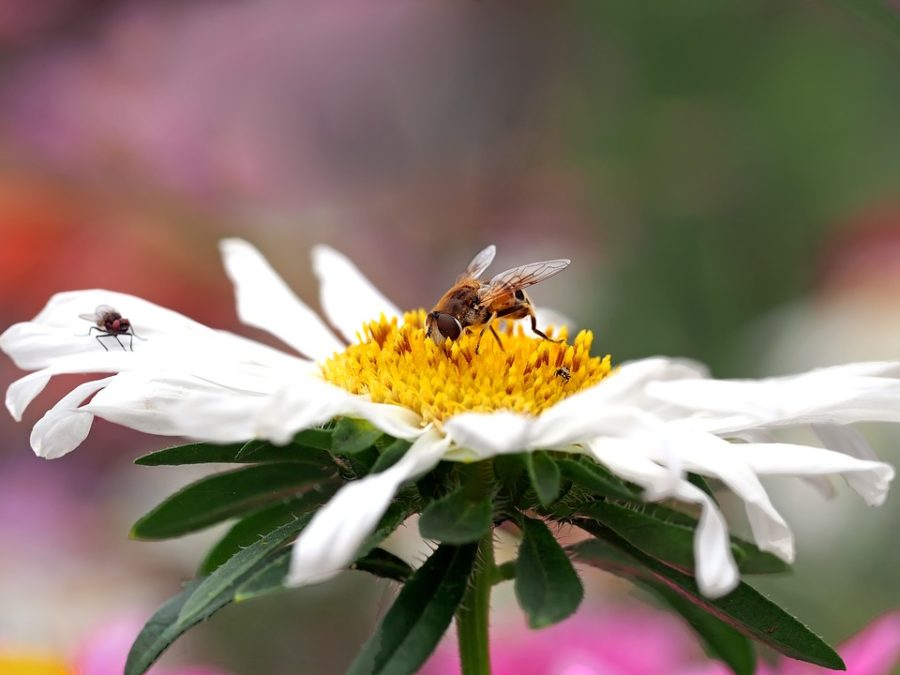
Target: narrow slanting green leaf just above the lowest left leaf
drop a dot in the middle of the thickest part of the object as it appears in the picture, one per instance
(231, 573)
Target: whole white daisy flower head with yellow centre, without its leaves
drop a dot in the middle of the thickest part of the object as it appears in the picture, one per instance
(650, 422)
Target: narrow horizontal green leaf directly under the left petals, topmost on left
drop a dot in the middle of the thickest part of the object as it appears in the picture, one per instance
(251, 452)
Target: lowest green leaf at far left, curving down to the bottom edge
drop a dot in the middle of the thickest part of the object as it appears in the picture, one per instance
(163, 629)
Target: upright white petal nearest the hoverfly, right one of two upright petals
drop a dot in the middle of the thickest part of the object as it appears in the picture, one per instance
(348, 299)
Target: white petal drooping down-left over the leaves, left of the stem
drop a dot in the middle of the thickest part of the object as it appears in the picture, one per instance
(331, 540)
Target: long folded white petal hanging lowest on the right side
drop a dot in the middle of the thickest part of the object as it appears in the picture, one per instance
(715, 569)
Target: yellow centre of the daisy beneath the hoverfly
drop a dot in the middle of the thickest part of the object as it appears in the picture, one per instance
(396, 363)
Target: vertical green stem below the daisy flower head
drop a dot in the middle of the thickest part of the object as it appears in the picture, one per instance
(472, 617)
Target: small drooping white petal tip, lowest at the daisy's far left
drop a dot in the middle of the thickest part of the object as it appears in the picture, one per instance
(65, 426)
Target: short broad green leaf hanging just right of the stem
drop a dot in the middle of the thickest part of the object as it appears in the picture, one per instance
(547, 586)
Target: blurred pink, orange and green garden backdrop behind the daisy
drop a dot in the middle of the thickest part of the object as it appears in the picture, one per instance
(725, 175)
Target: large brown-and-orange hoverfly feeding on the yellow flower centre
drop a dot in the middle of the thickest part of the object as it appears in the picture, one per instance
(471, 302)
